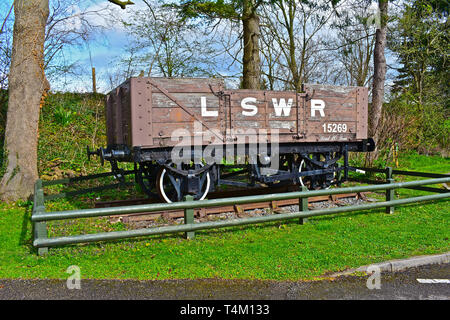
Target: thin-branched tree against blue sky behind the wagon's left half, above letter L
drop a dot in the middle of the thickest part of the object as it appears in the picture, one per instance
(165, 45)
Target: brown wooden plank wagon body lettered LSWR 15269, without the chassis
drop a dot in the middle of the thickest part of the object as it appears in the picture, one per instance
(145, 113)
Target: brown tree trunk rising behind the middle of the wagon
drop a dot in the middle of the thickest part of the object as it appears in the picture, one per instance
(251, 60)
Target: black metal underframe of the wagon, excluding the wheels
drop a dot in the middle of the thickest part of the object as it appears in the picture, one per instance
(191, 183)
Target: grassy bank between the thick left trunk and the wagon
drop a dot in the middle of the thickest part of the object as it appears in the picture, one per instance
(68, 123)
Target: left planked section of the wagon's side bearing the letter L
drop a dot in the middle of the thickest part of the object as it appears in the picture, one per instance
(189, 105)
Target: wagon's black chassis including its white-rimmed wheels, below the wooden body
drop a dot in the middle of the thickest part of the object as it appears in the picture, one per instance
(319, 163)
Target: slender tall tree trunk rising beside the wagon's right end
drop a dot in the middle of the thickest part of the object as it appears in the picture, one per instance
(379, 62)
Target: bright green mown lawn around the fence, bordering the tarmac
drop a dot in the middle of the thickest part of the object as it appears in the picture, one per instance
(278, 251)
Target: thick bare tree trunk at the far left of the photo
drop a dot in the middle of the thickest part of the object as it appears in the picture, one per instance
(27, 84)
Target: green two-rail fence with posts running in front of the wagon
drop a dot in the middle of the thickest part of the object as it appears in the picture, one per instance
(40, 217)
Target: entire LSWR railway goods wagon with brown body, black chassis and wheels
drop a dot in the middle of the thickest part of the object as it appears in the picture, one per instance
(191, 135)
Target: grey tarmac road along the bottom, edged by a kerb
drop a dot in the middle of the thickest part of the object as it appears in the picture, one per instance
(399, 285)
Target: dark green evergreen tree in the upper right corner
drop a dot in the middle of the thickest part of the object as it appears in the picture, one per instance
(420, 41)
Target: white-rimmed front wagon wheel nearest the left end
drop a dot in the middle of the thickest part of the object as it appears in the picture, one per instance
(170, 185)
